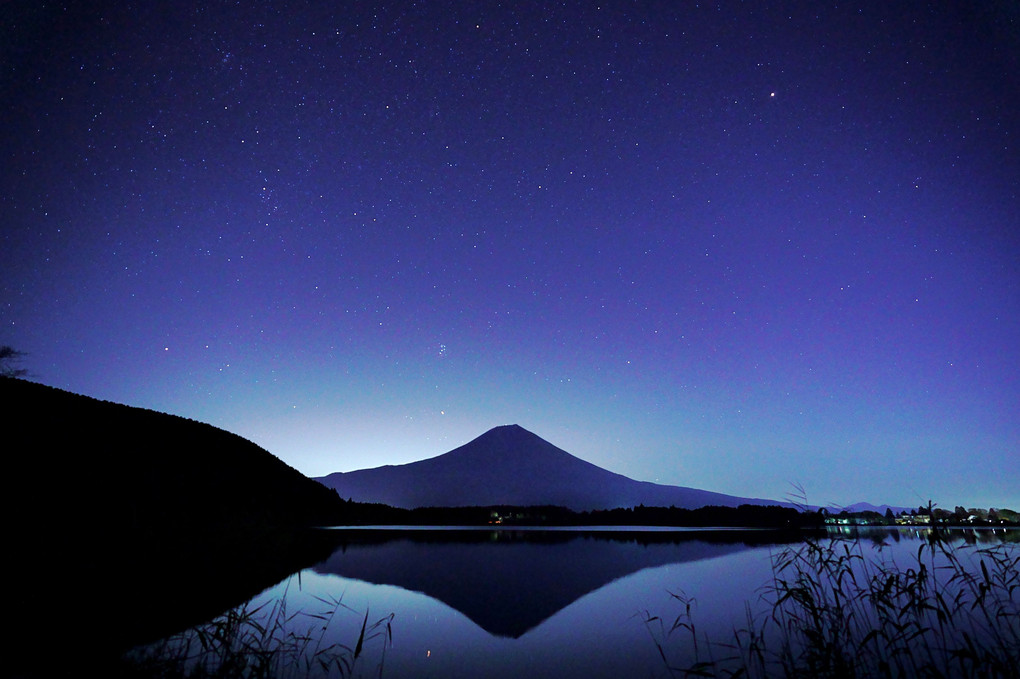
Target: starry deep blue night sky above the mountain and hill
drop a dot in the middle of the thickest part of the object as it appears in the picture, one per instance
(706, 244)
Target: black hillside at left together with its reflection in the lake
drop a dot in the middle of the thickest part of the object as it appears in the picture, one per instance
(141, 523)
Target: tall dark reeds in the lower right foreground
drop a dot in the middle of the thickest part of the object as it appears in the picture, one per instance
(832, 611)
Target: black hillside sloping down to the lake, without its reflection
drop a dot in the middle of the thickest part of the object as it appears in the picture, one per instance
(133, 469)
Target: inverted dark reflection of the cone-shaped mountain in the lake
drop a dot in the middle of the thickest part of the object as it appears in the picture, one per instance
(508, 583)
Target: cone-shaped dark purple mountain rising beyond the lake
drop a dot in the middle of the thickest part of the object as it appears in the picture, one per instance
(509, 465)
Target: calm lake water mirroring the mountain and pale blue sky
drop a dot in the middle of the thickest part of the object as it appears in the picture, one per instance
(573, 603)
